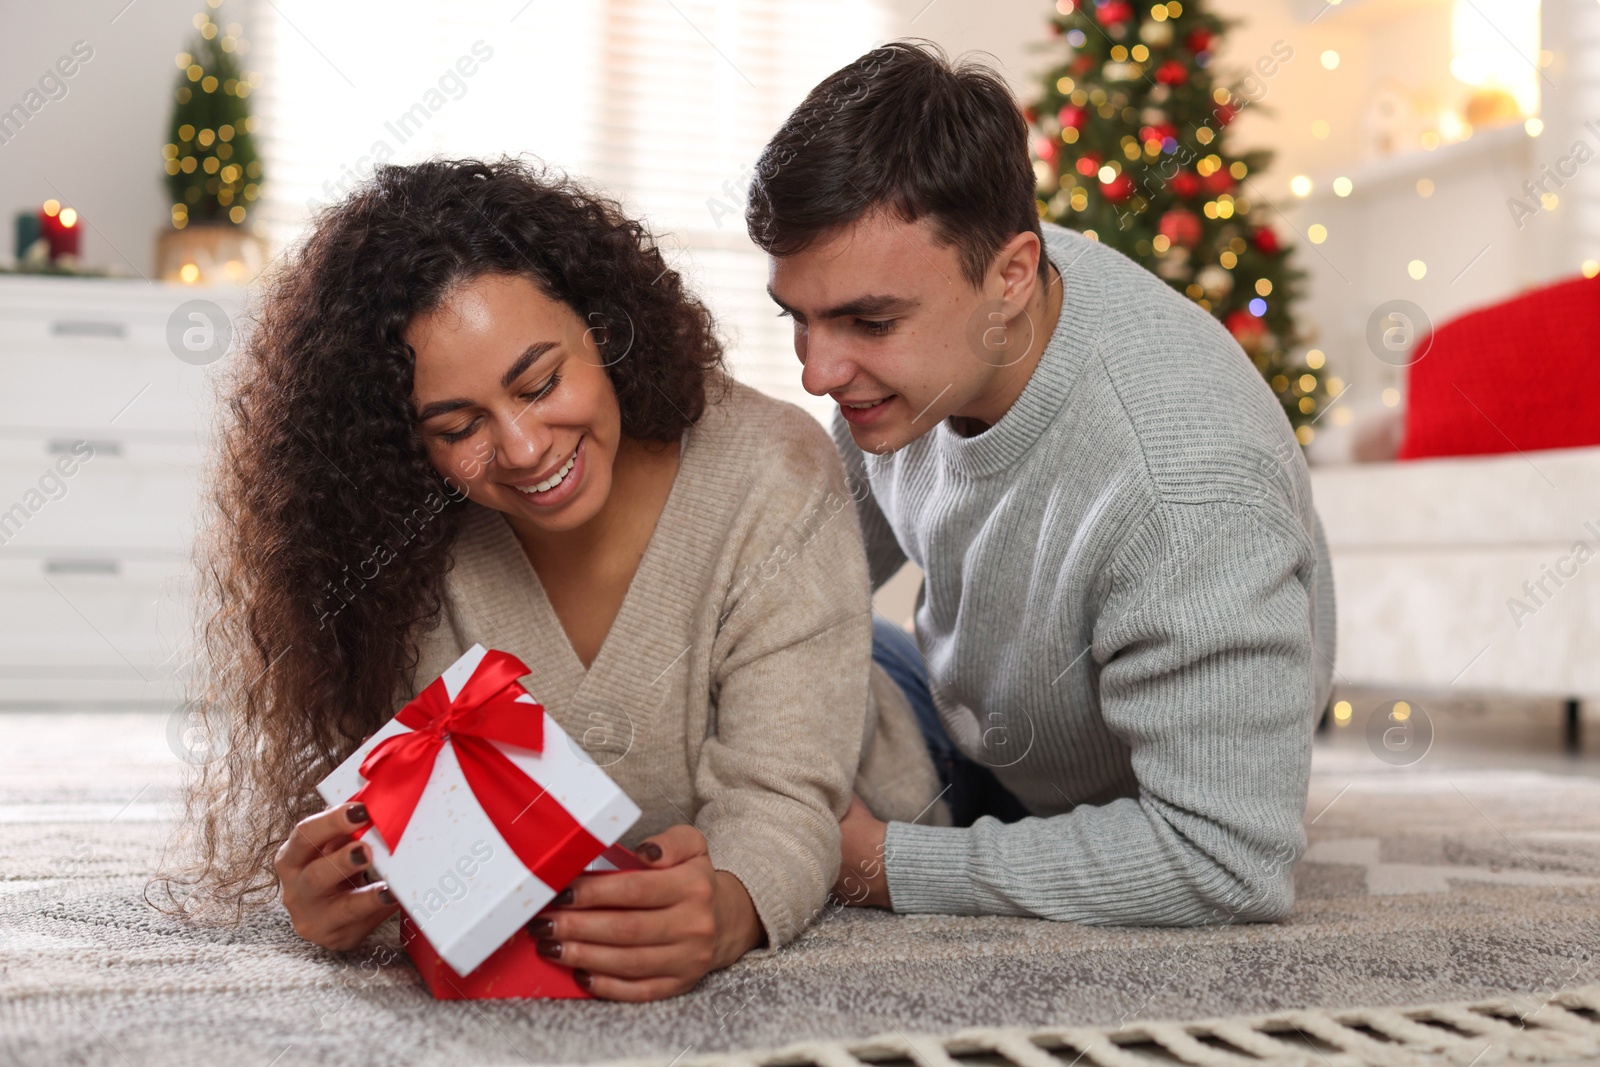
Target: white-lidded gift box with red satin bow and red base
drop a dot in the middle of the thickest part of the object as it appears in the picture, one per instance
(482, 810)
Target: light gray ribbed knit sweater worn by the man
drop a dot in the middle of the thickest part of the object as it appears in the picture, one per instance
(1127, 613)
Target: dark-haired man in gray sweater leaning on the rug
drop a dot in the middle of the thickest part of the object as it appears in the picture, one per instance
(1127, 610)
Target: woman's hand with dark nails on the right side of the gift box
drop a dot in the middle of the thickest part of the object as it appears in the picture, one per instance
(644, 935)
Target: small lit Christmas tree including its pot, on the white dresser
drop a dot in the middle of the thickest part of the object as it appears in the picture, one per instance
(214, 174)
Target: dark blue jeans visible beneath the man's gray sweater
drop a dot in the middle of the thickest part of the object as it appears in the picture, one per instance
(970, 788)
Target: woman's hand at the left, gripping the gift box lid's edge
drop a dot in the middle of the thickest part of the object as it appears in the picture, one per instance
(321, 871)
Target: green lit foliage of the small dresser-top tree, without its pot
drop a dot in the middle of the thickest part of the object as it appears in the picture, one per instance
(212, 169)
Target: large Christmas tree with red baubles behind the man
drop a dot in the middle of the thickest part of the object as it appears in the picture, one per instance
(1130, 150)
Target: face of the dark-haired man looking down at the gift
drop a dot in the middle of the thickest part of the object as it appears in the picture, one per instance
(889, 327)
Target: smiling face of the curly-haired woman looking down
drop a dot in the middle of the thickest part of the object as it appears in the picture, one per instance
(514, 404)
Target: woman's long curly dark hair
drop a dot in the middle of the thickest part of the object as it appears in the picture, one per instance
(330, 532)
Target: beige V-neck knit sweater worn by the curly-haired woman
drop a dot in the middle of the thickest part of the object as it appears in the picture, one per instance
(737, 689)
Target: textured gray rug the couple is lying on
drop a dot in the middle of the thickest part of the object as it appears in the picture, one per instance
(1423, 884)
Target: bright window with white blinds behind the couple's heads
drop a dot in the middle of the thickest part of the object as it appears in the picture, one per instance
(660, 103)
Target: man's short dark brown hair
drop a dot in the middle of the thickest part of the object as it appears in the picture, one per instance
(906, 130)
